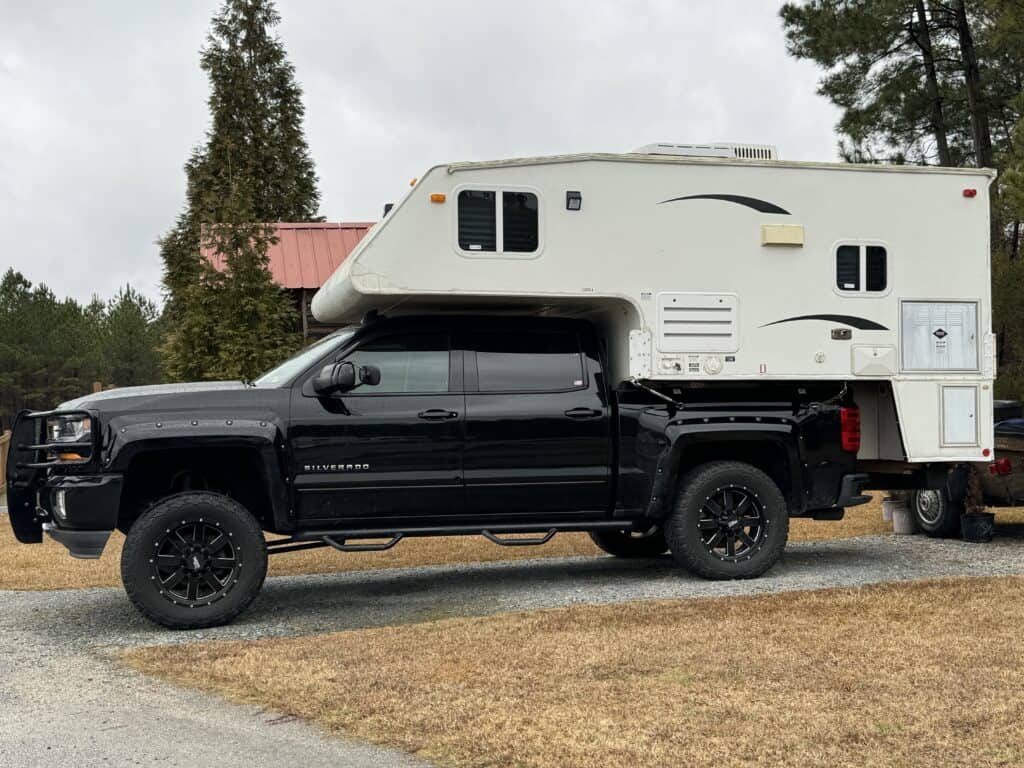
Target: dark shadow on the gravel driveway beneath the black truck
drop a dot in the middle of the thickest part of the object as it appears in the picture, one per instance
(312, 605)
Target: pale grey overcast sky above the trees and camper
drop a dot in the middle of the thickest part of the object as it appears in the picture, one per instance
(102, 102)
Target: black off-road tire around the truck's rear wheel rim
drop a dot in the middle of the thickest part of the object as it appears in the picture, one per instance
(687, 538)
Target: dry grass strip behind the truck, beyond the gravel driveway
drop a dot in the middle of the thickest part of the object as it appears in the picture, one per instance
(48, 567)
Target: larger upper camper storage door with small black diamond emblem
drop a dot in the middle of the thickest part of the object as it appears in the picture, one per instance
(940, 335)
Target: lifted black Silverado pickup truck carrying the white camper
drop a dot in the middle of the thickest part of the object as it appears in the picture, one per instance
(426, 426)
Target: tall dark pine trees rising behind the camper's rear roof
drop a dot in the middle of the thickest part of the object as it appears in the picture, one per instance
(918, 81)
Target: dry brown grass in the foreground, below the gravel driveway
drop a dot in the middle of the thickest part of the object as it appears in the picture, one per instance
(922, 674)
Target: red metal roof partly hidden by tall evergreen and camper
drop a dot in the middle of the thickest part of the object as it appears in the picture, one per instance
(307, 253)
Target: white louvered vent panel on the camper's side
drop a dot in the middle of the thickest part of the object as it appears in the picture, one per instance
(698, 323)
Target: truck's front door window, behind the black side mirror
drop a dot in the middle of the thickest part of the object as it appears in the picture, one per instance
(416, 363)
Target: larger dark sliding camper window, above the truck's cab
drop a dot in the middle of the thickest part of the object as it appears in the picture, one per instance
(486, 227)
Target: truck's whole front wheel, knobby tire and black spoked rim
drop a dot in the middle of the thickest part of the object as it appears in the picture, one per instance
(194, 560)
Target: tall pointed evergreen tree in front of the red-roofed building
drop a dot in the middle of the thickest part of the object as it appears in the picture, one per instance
(253, 168)
